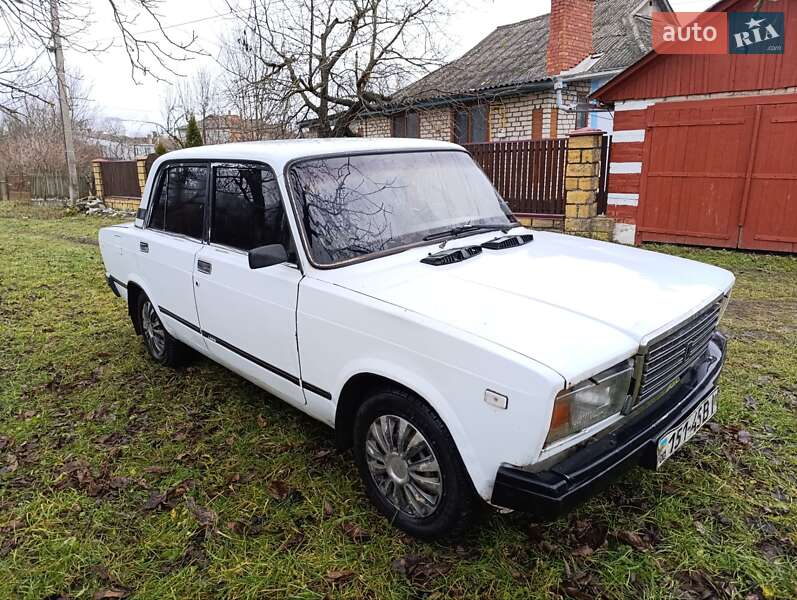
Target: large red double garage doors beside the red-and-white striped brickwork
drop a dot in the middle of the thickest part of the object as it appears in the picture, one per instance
(721, 173)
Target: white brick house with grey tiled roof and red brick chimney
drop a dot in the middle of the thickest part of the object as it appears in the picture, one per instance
(503, 88)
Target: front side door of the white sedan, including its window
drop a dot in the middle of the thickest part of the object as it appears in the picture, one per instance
(248, 315)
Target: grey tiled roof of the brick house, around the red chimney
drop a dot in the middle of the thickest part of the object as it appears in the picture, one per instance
(515, 55)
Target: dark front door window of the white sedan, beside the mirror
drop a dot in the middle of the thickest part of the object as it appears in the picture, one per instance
(247, 209)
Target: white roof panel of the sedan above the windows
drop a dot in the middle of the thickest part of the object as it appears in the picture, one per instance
(279, 152)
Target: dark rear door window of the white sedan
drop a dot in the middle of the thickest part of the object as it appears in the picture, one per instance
(179, 206)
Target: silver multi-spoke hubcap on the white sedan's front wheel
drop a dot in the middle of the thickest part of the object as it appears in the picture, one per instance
(403, 466)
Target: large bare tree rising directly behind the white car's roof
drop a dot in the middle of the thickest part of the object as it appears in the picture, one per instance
(334, 59)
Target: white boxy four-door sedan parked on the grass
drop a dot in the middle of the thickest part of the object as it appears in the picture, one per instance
(384, 288)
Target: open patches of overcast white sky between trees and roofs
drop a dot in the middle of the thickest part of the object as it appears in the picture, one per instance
(114, 94)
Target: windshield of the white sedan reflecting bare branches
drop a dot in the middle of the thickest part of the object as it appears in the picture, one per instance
(352, 206)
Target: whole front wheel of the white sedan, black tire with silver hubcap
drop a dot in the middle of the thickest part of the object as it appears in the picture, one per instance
(413, 473)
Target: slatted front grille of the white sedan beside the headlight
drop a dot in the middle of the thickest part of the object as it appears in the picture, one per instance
(670, 356)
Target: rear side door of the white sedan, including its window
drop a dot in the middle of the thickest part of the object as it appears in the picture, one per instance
(171, 238)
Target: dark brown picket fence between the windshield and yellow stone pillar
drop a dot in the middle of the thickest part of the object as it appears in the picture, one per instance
(529, 174)
